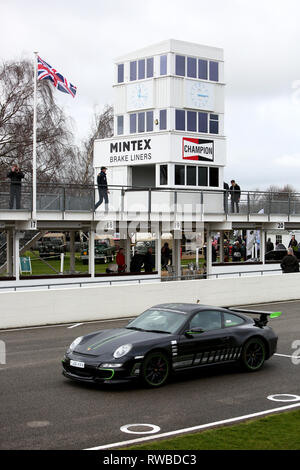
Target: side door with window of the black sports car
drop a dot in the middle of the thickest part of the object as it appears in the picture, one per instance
(204, 341)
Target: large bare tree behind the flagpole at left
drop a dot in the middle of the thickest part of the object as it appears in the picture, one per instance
(54, 137)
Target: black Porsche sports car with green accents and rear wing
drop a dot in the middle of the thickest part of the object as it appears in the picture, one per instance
(169, 338)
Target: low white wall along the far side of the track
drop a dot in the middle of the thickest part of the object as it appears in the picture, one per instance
(30, 308)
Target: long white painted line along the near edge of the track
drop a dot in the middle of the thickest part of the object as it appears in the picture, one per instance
(195, 428)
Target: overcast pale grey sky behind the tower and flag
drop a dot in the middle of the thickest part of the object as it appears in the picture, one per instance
(261, 42)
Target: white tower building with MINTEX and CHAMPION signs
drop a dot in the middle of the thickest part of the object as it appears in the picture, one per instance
(168, 119)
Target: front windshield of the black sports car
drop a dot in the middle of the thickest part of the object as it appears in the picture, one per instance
(159, 321)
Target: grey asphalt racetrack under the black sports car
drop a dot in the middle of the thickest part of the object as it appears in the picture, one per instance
(40, 409)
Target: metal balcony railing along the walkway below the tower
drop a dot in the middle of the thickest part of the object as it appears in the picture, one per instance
(82, 198)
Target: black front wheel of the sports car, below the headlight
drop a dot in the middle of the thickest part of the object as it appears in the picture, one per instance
(155, 369)
